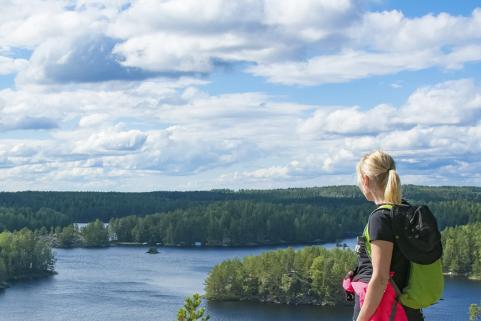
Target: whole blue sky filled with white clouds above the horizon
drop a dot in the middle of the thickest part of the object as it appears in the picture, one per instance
(147, 95)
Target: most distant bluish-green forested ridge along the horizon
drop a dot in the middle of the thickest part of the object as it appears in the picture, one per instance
(89, 206)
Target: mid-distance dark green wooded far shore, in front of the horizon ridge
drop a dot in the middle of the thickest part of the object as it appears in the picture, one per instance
(237, 223)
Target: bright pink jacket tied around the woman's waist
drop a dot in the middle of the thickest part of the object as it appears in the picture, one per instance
(384, 310)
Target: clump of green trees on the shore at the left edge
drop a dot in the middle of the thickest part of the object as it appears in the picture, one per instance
(24, 254)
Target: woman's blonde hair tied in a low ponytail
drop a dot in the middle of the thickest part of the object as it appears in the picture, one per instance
(381, 169)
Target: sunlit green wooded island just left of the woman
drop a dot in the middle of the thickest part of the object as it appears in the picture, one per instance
(309, 276)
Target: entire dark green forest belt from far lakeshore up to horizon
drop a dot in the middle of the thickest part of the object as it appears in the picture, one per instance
(225, 217)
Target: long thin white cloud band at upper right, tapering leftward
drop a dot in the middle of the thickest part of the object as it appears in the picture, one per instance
(351, 65)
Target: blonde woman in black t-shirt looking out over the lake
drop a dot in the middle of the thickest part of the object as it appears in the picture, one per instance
(380, 183)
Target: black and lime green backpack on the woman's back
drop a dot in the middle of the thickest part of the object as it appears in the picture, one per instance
(417, 237)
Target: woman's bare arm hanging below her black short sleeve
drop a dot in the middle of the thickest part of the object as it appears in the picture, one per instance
(381, 253)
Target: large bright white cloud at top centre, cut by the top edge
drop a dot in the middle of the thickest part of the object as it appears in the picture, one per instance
(169, 36)
